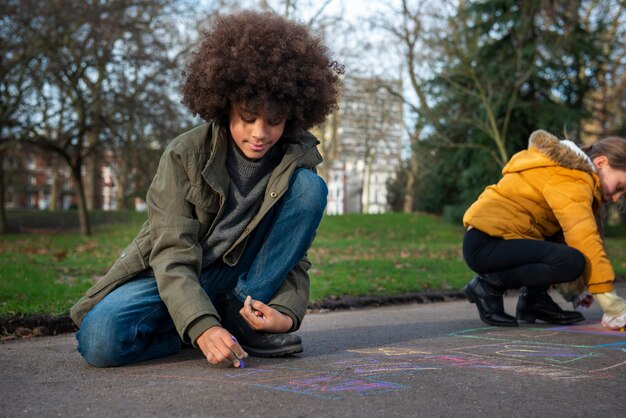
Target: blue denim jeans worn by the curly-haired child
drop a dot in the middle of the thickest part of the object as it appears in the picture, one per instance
(132, 324)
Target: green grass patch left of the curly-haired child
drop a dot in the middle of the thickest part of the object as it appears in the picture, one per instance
(46, 272)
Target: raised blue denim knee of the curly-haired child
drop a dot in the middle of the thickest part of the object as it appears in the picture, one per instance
(308, 190)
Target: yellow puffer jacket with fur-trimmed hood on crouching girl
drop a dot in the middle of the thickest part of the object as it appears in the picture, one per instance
(550, 188)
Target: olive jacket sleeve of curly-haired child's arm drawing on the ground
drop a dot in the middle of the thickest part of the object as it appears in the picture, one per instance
(176, 257)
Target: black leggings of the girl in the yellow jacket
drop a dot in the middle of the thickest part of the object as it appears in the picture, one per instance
(522, 262)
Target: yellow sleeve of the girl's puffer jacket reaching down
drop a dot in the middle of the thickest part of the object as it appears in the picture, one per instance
(571, 200)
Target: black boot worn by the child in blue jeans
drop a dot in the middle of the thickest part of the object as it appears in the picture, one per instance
(260, 344)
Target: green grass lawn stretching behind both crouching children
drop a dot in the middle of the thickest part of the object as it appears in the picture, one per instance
(46, 272)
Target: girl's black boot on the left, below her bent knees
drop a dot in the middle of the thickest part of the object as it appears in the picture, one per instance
(486, 293)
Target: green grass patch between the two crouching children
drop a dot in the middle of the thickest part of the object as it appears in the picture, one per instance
(386, 254)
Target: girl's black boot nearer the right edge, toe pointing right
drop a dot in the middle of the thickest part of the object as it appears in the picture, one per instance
(535, 303)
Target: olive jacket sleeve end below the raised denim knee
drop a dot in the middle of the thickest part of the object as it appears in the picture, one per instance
(292, 297)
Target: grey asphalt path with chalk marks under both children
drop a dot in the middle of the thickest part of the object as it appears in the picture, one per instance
(433, 359)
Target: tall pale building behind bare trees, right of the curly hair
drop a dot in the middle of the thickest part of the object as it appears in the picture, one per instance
(369, 149)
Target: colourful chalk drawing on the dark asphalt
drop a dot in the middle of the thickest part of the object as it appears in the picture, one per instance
(378, 370)
